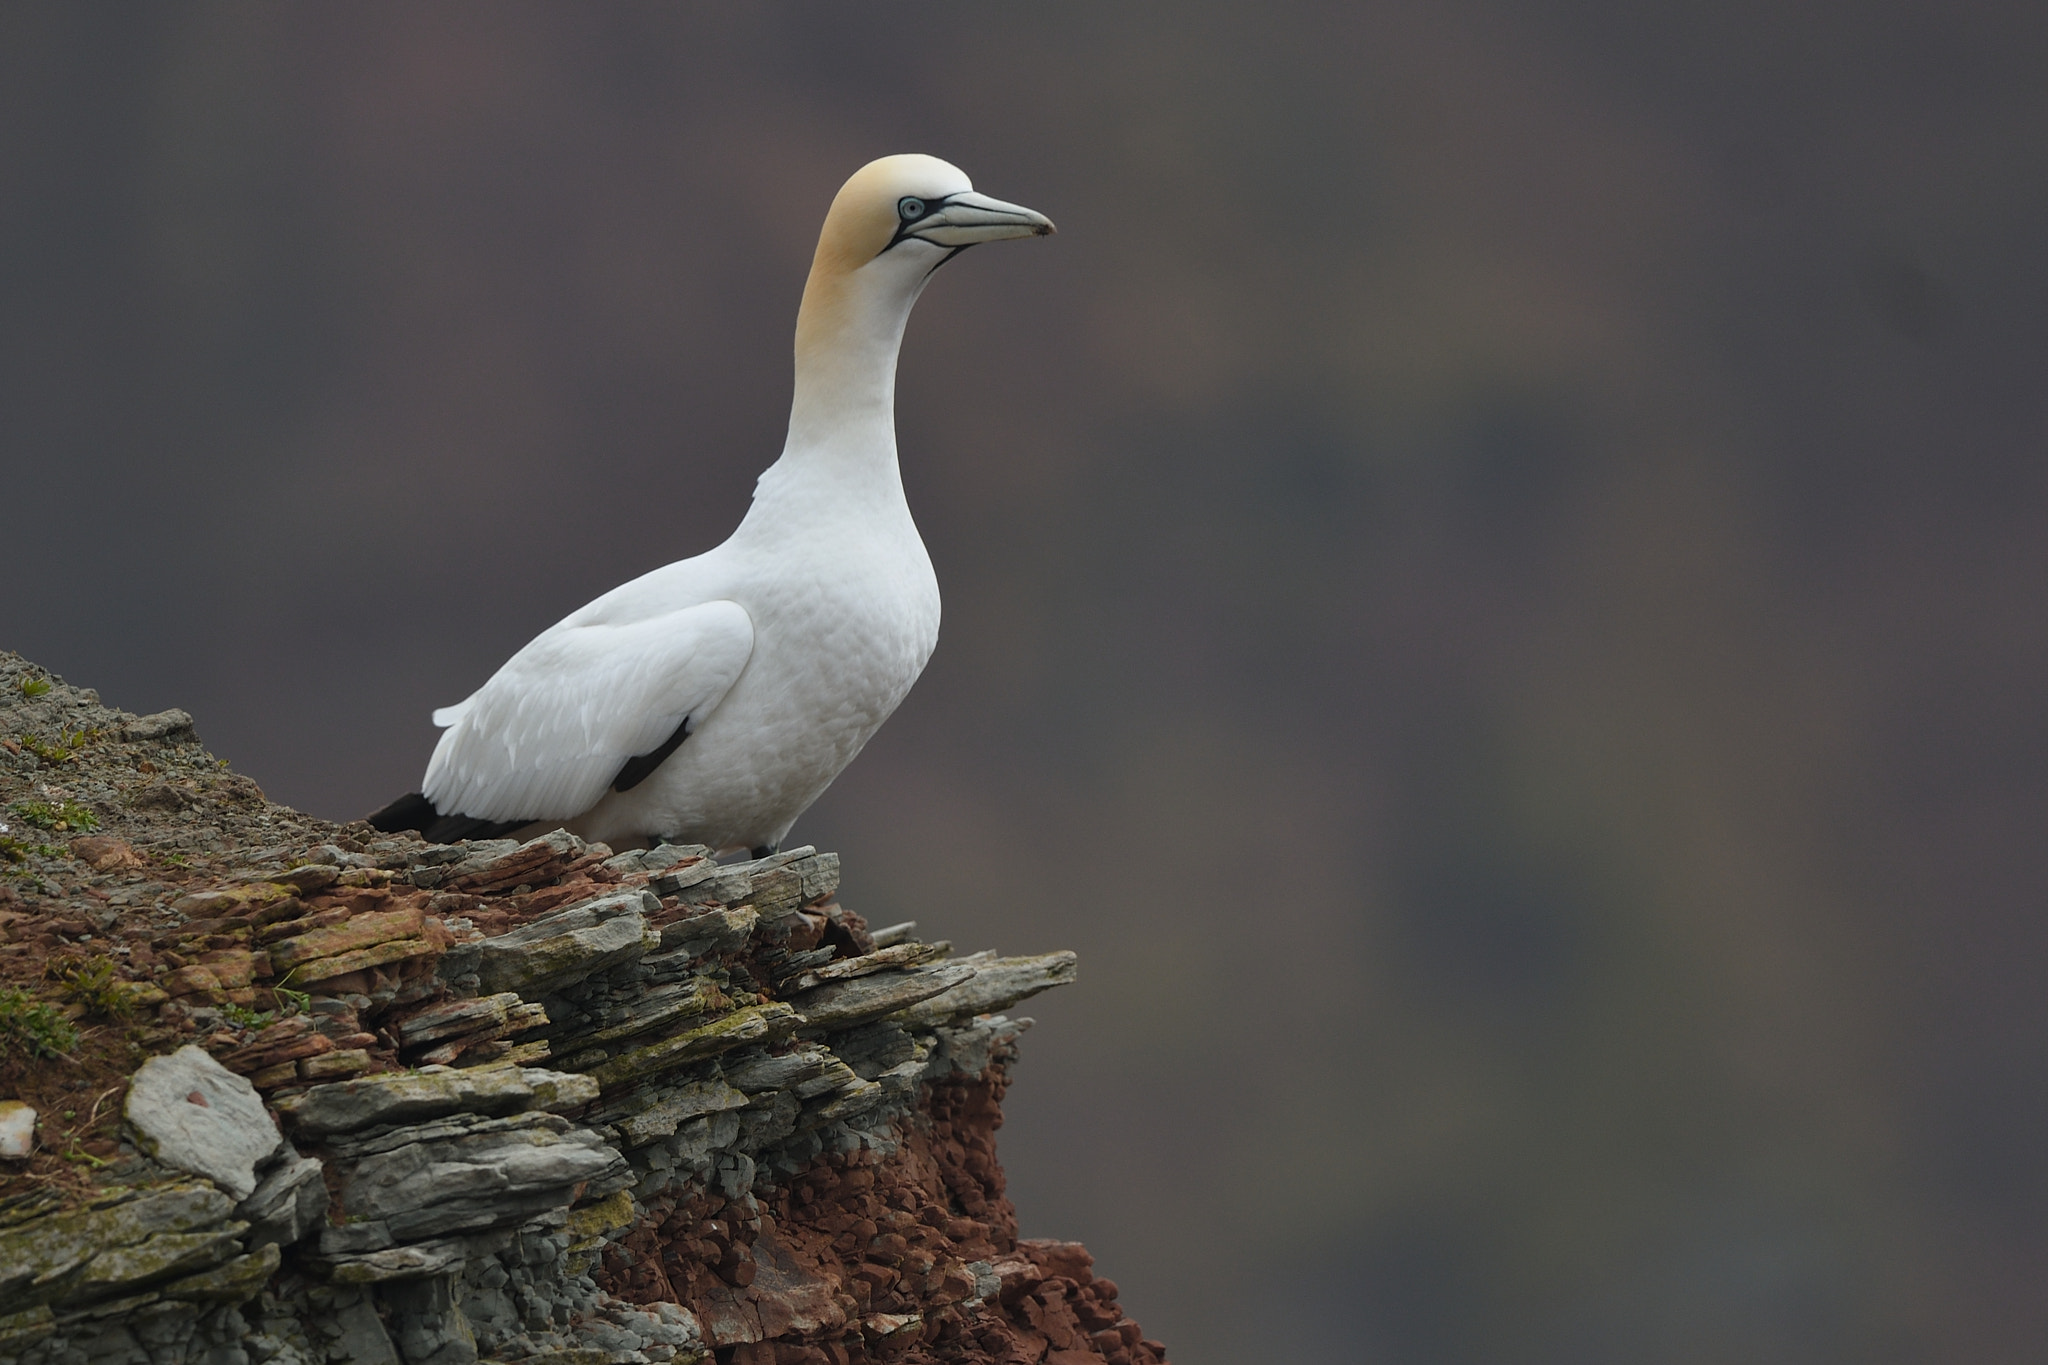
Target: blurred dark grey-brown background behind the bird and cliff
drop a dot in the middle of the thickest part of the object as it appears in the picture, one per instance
(1494, 576)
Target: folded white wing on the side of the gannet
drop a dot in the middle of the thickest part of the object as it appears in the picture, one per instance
(546, 736)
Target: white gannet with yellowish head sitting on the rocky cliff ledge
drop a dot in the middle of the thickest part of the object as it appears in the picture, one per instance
(718, 697)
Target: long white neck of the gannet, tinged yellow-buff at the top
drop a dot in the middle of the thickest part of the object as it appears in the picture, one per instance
(843, 416)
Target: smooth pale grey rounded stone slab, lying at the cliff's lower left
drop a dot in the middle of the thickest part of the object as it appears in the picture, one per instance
(198, 1116)
